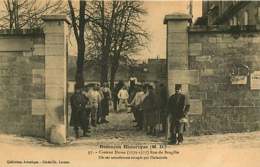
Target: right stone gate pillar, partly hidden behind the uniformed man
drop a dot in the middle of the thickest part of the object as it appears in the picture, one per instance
(177, 54)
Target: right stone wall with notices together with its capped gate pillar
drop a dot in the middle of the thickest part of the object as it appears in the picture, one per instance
(222, 75)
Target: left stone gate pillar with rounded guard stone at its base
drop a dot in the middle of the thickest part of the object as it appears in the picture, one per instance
(56, 34)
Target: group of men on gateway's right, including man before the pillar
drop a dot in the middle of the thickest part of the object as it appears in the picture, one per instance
(153, 110)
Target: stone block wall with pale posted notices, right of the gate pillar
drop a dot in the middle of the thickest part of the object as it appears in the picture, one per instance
(218, 55)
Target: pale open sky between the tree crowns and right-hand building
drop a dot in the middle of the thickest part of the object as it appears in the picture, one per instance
(154, 24)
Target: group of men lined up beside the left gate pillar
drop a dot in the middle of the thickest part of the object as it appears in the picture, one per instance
(89, 106)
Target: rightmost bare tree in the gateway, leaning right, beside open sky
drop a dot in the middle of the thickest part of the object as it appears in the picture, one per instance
(129, 36)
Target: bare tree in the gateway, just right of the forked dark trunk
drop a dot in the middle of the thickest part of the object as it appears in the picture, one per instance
(102, 15)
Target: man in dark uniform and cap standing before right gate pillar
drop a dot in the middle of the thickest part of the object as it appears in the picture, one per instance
(178, 107)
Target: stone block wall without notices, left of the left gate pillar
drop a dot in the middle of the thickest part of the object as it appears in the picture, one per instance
(22, 82)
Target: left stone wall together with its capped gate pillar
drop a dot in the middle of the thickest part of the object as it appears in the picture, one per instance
(33, 79)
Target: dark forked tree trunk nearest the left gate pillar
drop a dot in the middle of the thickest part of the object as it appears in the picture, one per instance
(78, 24)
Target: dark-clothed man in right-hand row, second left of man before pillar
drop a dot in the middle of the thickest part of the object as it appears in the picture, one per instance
(150, 106)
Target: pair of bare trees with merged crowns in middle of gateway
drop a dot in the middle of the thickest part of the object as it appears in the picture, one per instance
(116, 34)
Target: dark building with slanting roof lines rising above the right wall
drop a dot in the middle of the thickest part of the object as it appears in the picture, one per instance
(230, 13)
